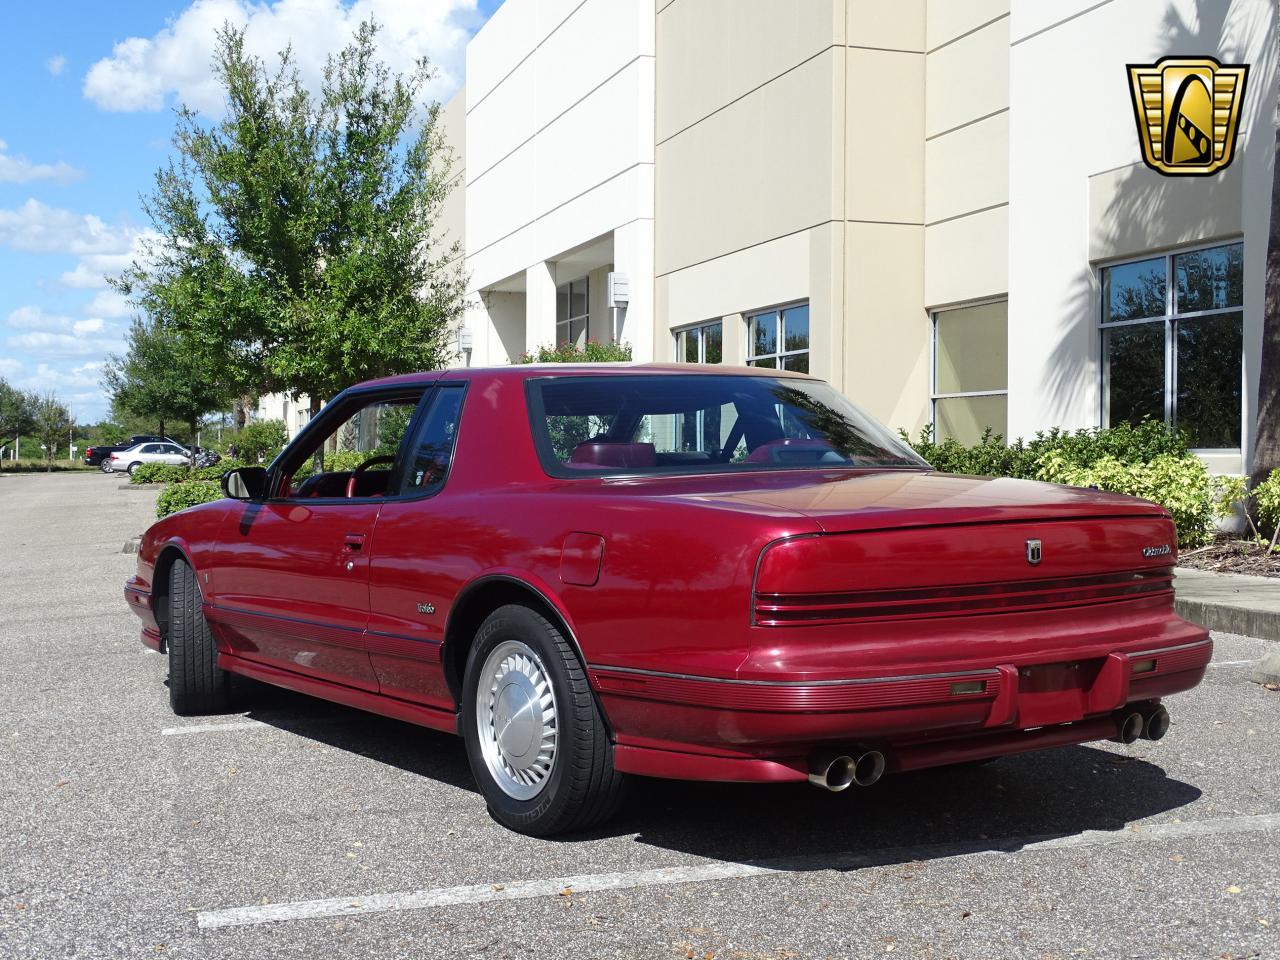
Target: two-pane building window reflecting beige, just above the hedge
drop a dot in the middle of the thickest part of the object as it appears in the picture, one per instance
(971, 372)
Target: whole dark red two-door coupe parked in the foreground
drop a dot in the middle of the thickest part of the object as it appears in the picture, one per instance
(703, 573)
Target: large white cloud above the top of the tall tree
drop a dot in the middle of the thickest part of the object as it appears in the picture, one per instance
(144, 74)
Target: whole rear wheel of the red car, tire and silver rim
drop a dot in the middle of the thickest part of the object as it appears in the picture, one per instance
(534, 737)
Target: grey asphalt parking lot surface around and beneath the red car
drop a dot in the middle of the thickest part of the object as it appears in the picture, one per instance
(295, 829)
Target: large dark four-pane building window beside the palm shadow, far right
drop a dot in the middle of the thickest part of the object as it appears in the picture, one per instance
(1173, 344)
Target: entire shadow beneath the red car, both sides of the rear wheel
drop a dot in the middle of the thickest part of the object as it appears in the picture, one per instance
(909, 817)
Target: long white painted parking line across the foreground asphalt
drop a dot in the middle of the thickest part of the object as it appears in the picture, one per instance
(702, 874)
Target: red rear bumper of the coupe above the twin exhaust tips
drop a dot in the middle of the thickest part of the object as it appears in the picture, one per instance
(706, 729)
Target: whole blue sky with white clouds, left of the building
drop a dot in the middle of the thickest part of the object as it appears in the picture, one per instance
(86, 124)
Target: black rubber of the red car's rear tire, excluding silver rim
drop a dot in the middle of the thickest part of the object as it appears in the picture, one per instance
(583, 788)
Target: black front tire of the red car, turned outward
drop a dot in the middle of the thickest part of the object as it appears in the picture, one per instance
(196, 683)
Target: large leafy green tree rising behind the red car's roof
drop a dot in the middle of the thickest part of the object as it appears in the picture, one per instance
(298, 232)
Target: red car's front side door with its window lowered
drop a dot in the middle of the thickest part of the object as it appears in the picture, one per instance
(291, 579)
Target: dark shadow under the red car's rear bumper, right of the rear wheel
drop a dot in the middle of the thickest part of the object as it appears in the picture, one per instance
(906, 819)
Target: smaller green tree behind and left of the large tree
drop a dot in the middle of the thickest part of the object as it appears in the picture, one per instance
(166, 376)
